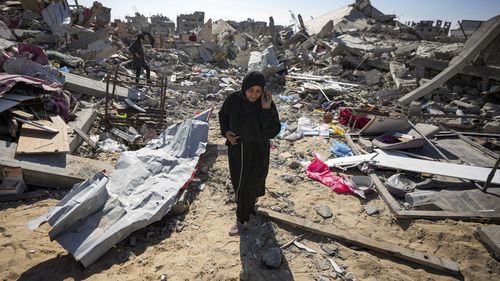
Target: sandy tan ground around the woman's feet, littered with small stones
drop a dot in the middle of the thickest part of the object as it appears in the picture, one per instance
(196, 246)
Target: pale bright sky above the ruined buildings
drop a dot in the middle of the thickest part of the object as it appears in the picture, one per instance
(447, 10)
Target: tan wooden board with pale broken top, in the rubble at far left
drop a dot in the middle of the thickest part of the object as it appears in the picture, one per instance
(36, 140)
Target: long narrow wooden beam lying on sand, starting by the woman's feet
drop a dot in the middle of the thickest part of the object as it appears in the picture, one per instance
(350, 237)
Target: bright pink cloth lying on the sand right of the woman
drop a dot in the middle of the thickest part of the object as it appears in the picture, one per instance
(319, 171)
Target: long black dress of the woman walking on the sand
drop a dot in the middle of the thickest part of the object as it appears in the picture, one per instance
(249, 158)
